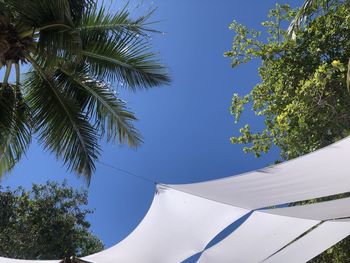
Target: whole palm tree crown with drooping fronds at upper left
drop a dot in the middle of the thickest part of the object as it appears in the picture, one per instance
(73, 49)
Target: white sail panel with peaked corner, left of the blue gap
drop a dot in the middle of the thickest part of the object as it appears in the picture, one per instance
(177, 226)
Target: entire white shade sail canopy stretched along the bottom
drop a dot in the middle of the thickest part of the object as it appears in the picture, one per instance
(183, 219)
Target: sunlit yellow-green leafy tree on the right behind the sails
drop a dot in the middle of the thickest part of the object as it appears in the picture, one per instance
(303, 94)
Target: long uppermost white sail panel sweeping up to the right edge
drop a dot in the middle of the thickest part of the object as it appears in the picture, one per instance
(321, 173)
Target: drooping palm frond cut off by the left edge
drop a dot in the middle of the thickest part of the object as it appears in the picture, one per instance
(15, 127)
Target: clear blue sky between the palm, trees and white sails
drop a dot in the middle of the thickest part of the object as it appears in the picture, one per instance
(186, 125)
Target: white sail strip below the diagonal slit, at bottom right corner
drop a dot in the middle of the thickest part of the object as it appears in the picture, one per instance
(312, 244)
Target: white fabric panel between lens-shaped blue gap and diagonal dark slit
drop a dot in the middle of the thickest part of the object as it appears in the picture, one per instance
(257, 238)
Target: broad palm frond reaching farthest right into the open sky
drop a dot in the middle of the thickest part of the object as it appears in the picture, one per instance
(125, 59)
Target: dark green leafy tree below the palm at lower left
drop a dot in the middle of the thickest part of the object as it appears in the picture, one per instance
(46, 222)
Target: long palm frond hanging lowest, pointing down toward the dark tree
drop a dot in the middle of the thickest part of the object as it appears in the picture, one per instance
(63, 128)
